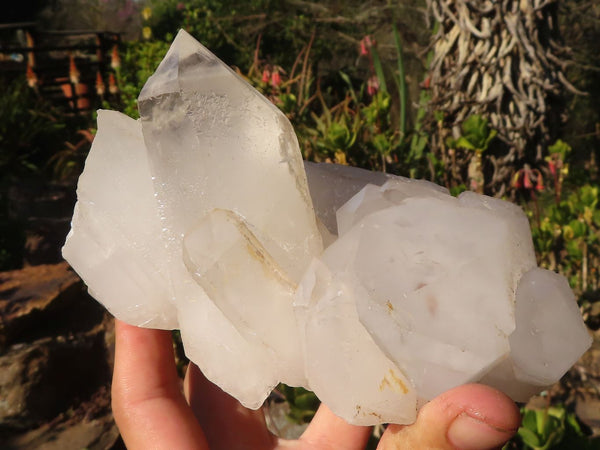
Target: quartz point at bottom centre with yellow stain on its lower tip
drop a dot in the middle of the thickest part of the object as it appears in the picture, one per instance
(344, 366)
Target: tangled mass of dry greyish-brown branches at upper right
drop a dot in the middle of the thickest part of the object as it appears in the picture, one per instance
(503, 60)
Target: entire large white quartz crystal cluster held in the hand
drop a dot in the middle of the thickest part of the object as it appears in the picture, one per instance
(376, 292)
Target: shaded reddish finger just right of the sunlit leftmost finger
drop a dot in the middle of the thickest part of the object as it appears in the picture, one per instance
(226, 423)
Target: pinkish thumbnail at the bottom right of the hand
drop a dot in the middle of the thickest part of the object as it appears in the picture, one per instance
(468, 433)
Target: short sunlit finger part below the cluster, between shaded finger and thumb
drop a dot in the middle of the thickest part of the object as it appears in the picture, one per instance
(328, 431)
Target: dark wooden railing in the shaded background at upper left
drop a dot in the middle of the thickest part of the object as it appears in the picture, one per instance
(74, 69)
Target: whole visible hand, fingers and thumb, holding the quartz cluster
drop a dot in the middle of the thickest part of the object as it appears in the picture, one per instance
(152, 412)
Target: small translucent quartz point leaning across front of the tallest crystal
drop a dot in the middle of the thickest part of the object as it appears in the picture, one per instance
(244, 281)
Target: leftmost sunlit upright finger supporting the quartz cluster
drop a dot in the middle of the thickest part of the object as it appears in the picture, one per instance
(148, 406)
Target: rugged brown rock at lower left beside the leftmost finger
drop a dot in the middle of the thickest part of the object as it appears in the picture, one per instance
(55, 361)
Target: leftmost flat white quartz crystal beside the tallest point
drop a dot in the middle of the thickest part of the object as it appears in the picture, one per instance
(116, 219)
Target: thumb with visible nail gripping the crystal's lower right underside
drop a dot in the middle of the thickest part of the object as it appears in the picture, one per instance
(470, 417)
